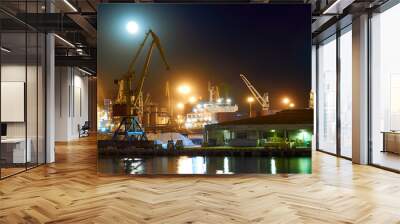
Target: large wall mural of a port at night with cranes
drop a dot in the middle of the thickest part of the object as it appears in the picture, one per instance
(204, 89)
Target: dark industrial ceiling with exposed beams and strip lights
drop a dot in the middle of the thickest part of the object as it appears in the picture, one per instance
(75, 21)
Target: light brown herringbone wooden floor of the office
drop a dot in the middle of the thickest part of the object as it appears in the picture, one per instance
(70, 191)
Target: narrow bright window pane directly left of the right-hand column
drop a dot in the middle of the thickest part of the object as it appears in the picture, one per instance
(346, 94)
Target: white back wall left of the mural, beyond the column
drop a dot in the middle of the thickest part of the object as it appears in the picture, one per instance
(71, 102)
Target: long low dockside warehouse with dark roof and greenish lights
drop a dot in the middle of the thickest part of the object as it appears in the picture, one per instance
(284, 129)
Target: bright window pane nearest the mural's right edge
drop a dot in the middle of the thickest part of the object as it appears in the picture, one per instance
(327, 96)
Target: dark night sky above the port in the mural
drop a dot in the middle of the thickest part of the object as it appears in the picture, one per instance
(271, 44)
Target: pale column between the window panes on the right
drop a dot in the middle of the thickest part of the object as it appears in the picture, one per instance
(360, 90)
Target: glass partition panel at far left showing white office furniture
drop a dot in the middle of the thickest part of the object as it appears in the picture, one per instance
(13, 87)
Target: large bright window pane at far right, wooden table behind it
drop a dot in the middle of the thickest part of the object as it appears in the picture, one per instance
(385, 84)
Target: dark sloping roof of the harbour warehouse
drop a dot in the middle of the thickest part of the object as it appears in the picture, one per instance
(294, 116)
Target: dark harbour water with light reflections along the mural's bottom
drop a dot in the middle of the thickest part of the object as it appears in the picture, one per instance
(203, 165)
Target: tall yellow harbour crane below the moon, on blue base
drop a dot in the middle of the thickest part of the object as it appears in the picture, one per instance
(129, 104)
